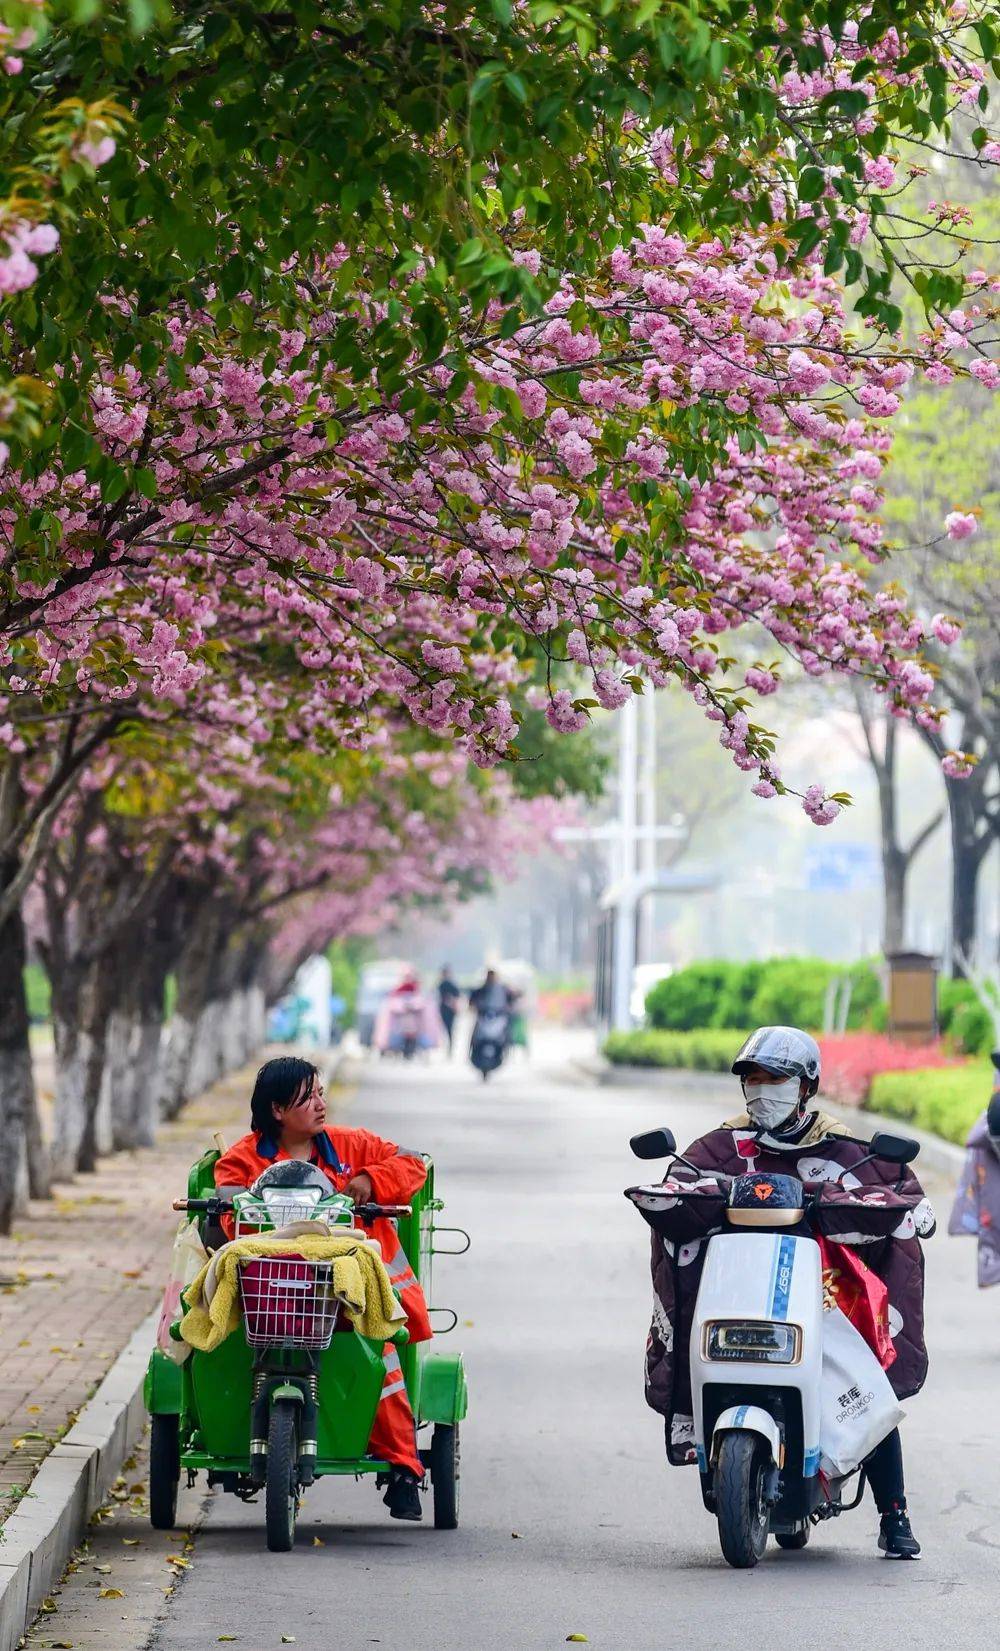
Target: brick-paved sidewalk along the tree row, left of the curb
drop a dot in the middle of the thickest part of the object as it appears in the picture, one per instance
(82, 1272)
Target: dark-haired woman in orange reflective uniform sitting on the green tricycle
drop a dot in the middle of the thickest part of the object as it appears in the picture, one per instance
(290, 1120)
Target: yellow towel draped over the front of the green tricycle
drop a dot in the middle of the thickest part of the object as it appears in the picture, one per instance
(361, 1282)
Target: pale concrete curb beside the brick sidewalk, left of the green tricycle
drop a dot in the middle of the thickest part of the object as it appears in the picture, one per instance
(73, 1482)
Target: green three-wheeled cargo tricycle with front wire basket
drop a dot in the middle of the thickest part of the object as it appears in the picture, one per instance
(291, 1399)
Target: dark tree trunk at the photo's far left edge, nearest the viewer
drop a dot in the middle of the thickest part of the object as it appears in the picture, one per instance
(17, 1081)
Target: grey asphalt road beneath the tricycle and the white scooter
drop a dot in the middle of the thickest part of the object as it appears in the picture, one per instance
(572, 1521)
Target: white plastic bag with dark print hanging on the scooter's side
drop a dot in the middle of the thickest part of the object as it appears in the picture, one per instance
(857, 1403)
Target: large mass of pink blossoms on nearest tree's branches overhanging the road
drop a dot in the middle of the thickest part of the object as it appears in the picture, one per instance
(687, 448)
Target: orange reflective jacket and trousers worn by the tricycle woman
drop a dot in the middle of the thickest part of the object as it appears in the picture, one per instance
(395, 1178)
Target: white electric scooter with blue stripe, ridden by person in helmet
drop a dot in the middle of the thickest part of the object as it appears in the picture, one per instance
(757, 1343)
